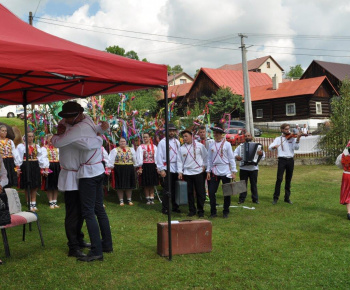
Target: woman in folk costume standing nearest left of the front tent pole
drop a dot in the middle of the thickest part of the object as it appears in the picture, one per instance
(146, 153)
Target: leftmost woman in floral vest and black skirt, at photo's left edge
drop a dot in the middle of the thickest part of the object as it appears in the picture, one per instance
(9, 154)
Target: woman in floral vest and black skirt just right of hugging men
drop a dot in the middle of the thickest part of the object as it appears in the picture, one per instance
(123, 160)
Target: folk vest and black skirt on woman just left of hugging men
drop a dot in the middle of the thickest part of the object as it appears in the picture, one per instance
(52, 155)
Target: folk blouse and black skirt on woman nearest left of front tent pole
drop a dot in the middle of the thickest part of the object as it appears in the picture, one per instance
(146, 158)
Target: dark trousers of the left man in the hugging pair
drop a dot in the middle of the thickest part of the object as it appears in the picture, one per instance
(73, 221)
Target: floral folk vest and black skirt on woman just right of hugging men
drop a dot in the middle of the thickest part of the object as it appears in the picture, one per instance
(123, 161)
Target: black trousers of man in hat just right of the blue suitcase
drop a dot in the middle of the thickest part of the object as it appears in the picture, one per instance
(197, 182)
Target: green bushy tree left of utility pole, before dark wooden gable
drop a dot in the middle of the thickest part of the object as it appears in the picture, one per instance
(224, 101)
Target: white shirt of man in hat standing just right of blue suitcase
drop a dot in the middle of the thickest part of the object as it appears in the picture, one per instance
(189, 163)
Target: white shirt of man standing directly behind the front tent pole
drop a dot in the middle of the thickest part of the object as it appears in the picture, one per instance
(174, 146)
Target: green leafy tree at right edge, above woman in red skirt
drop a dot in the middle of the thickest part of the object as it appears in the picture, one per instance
(336, 134)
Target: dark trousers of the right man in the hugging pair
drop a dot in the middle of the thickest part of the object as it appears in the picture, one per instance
(91, 196)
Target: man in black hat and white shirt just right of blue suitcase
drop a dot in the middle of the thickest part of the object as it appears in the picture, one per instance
(191, 160)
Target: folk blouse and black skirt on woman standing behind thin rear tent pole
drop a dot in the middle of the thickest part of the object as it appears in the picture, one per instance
(37, 164)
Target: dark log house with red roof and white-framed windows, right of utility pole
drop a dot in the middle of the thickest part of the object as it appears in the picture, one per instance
(300, 101)
